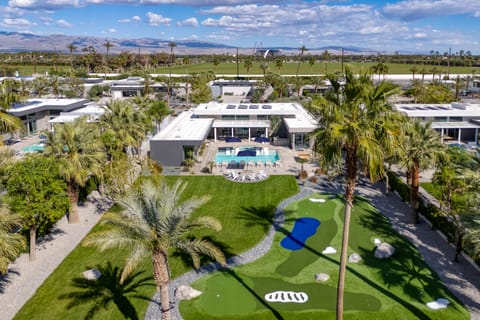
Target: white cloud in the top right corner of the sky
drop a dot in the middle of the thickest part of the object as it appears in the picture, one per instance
(418, 9)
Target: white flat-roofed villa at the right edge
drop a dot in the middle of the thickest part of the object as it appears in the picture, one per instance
(456, 122)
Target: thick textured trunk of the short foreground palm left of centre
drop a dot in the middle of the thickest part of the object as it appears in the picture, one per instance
(161, 274)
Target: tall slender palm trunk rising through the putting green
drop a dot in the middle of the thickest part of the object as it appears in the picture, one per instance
(351, 163)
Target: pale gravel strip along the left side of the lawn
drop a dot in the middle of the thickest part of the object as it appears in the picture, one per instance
(25, 277)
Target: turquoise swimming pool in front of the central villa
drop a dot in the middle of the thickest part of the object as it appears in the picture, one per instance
(246, 154)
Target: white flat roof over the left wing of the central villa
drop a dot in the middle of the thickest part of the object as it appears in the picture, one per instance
(185, 127)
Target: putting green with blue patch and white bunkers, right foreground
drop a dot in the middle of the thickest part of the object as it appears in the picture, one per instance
(396, 288)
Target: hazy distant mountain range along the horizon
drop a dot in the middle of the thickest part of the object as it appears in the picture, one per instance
(18, 42)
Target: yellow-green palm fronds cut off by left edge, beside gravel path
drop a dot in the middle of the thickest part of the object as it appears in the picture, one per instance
(11, 243)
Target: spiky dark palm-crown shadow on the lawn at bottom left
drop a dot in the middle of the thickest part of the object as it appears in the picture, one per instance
(106, 290)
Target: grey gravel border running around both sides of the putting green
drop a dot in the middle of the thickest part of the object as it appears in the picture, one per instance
(461, 278)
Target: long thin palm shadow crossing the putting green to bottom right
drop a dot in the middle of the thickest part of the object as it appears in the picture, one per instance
(260, 215)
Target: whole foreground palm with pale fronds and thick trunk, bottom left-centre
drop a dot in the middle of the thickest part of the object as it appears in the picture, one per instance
(154, 222)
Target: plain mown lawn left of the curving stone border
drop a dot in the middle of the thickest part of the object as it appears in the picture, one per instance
(230, 202)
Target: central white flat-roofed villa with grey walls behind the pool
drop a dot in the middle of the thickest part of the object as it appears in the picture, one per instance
(231, 122)
